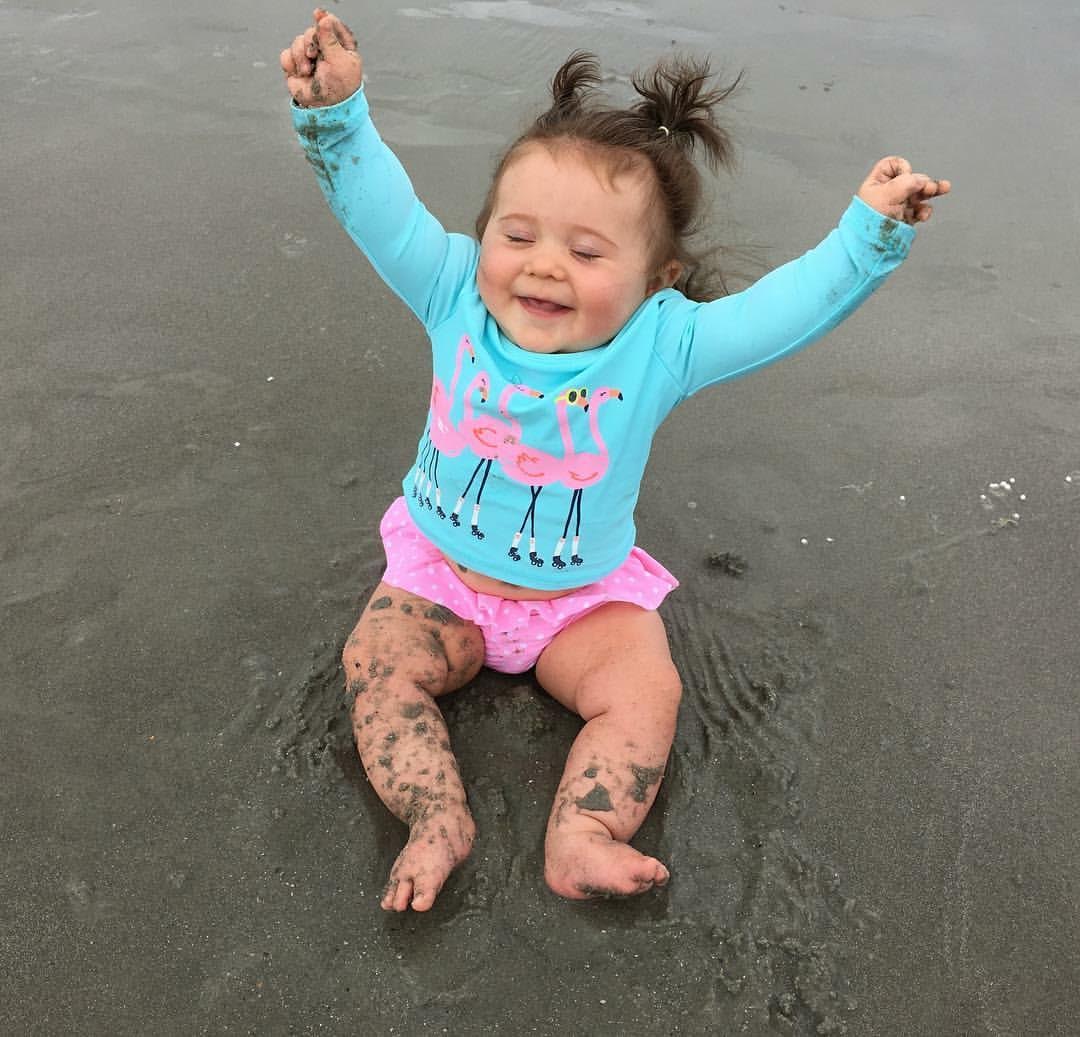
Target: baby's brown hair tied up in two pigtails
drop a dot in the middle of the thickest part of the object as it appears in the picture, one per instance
(664, 132)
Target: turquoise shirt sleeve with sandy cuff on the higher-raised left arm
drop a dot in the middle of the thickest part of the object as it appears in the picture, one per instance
(373, 198)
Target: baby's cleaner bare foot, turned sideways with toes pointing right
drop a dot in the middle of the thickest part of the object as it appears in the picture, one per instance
(584, 865)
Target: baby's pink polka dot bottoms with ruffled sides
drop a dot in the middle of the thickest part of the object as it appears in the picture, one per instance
(516, 634)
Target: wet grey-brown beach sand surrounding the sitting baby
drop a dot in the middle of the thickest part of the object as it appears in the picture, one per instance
(207, 401)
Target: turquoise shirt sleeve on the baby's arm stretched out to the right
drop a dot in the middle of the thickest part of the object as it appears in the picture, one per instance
(787, 309)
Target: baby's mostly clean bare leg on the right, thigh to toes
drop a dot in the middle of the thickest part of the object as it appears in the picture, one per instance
(614, 669)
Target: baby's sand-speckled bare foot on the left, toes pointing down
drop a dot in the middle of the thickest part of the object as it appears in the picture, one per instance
(437, 845)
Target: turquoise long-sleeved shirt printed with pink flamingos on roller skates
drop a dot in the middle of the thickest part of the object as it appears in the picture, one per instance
(530, 467)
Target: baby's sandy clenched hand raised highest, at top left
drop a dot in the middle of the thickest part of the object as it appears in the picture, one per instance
(322, 68)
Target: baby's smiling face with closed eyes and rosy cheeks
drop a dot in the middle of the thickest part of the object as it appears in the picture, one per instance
(565, 258)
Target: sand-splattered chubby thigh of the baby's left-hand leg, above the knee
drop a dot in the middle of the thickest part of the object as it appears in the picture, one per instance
(420, 640)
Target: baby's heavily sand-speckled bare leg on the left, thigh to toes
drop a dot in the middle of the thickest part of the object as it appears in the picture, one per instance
(404, 653)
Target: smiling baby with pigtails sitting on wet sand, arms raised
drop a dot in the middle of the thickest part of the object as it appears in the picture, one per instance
(561, 340)
